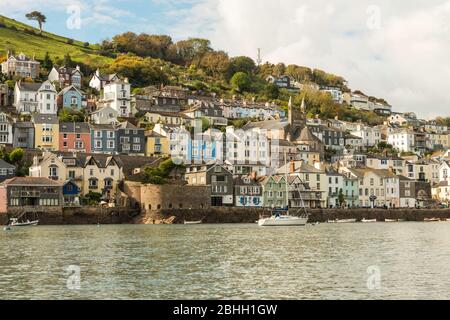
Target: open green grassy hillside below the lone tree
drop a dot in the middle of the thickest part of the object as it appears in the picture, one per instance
(19, 37)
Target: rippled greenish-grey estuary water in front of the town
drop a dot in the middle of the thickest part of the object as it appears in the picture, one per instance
(328, 261)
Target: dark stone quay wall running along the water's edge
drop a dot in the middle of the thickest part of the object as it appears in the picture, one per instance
(216, 215)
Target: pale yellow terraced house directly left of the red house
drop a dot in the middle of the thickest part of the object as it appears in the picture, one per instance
(46, 131)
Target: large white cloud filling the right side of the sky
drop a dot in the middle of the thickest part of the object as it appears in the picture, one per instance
(398, 52)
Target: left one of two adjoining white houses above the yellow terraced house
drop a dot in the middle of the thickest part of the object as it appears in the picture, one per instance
(26, 96)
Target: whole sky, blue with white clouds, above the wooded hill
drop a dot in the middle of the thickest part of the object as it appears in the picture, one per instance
(395, 50)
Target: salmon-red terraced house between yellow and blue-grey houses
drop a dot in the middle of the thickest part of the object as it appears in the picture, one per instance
(74, 137)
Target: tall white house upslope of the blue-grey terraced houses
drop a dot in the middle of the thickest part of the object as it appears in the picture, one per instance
(117, 95)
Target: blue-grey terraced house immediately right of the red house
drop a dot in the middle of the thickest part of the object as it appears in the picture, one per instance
(103, 139)
